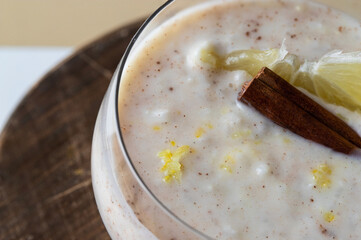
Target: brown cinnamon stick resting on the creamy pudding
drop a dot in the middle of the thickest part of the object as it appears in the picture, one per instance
(288, 107)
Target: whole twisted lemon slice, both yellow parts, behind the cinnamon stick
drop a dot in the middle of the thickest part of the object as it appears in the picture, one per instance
(336, 77)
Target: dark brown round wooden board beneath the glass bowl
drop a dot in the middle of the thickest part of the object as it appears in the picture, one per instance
(45, 182)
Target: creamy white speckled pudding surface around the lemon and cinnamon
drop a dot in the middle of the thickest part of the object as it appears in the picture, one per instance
(242, 176)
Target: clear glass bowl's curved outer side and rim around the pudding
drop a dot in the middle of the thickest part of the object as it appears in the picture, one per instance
(127, 206)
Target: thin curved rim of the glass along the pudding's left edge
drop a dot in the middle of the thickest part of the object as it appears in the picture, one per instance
(119, 131)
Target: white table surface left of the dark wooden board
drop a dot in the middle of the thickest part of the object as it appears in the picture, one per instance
(20, 69)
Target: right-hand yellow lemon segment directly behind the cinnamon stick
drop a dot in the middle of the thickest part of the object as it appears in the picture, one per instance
(336, 78)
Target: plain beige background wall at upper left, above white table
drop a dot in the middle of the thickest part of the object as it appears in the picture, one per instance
(66, 22)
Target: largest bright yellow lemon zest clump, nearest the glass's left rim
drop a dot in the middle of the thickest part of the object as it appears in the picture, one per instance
(172, 168)
